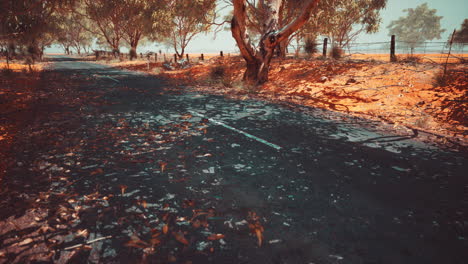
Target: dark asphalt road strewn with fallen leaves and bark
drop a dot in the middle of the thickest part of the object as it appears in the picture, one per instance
(325, 187)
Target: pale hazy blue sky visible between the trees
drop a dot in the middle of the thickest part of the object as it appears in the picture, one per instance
(453, 12)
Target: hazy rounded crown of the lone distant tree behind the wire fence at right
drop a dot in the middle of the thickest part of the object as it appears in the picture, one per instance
(419, 25)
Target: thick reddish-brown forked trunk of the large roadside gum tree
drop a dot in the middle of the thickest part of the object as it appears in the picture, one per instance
(258, 60)
